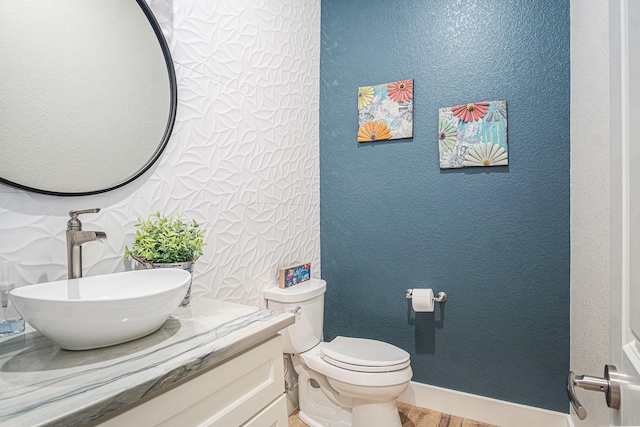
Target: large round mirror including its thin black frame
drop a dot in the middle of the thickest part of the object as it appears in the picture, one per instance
(88, 94)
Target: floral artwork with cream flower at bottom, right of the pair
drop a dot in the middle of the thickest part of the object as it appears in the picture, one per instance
(473, 134)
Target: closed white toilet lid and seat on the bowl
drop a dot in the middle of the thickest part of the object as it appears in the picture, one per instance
(364, 355)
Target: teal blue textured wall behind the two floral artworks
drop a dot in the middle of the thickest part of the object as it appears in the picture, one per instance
(496, 240)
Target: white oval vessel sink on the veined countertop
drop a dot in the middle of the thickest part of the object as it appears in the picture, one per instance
(98, 311)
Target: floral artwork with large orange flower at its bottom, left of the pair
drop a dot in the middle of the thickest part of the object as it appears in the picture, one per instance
(385, 111)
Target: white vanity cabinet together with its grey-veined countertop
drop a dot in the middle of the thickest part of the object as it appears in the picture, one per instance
(213, 363)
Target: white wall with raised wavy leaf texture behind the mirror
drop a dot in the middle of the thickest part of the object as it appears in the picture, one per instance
(243, 159)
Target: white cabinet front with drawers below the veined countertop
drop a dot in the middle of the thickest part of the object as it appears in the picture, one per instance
(247, 390)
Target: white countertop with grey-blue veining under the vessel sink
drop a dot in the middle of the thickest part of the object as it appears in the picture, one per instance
(43, 385)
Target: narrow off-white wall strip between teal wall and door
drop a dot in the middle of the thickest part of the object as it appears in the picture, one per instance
(590, 199)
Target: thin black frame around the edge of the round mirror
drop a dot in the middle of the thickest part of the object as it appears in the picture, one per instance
(173, 89)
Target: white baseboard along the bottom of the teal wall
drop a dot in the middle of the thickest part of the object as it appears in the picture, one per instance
(483, 409)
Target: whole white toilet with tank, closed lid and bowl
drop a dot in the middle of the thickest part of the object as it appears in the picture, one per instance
(345, 382)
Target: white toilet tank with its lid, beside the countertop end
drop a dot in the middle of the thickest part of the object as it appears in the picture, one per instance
(306, 332)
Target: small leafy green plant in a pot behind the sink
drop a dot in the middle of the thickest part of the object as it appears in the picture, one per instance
(167, 242)
